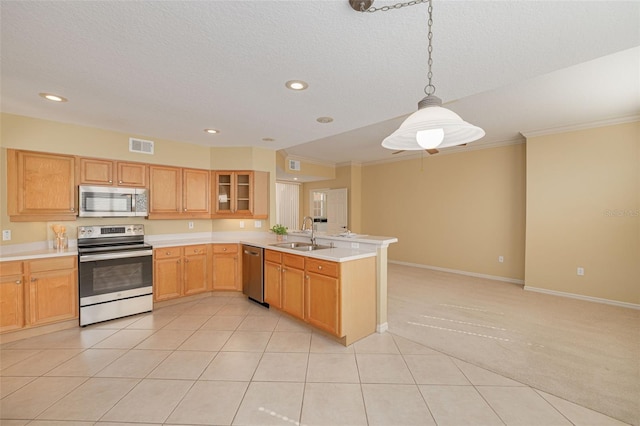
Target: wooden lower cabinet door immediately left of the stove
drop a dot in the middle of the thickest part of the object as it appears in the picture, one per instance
(52, 290)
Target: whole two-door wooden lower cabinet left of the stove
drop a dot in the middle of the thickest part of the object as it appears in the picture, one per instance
(38, 292)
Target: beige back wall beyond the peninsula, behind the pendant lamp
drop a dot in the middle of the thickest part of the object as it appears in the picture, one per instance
(458, 211)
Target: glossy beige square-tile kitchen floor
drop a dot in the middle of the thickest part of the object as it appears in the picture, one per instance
(223, 360)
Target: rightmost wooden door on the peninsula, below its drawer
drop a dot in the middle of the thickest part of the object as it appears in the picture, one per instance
(323, 302)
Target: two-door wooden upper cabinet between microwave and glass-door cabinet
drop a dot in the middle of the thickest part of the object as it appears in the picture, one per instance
(177, 193)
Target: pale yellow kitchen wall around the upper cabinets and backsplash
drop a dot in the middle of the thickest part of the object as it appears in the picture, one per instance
(27, 133)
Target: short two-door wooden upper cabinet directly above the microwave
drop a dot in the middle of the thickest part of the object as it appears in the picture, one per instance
(94, 171)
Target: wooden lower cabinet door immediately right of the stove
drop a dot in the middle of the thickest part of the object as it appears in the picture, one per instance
(167, 273)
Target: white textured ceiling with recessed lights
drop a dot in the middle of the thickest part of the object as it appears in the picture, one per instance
(171, 69)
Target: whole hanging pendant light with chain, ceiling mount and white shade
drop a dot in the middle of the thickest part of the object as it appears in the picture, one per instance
(432, 126)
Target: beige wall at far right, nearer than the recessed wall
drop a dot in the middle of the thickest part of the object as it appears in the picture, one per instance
(583, 210)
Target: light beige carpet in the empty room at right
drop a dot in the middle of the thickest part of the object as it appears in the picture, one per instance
(585, 352)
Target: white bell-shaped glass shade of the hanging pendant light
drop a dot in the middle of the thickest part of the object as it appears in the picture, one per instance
(432, 126)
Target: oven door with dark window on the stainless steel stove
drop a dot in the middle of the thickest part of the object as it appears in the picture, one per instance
(115, 275)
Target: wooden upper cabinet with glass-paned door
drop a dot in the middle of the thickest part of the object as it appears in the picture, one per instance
(240, 194)
